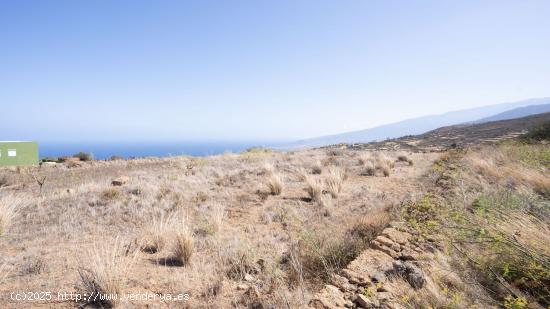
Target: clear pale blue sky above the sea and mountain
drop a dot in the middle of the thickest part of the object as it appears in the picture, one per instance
(254, 70)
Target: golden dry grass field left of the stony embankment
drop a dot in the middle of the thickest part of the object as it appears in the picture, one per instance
(230, 230)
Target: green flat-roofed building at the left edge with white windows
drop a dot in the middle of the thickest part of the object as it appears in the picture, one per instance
(18, 153)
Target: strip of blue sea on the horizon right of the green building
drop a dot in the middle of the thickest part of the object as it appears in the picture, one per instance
(105, 150)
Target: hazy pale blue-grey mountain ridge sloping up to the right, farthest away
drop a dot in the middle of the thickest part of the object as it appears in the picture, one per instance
(415, 125)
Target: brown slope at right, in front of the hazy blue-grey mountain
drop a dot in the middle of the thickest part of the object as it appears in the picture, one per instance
(460, 135)
